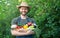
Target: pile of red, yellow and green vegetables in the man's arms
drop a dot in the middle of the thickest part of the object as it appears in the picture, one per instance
(28, 26)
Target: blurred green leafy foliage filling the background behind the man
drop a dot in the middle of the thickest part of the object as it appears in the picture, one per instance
(45, 12)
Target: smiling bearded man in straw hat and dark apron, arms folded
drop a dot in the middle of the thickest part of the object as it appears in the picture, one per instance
(21, 20)
